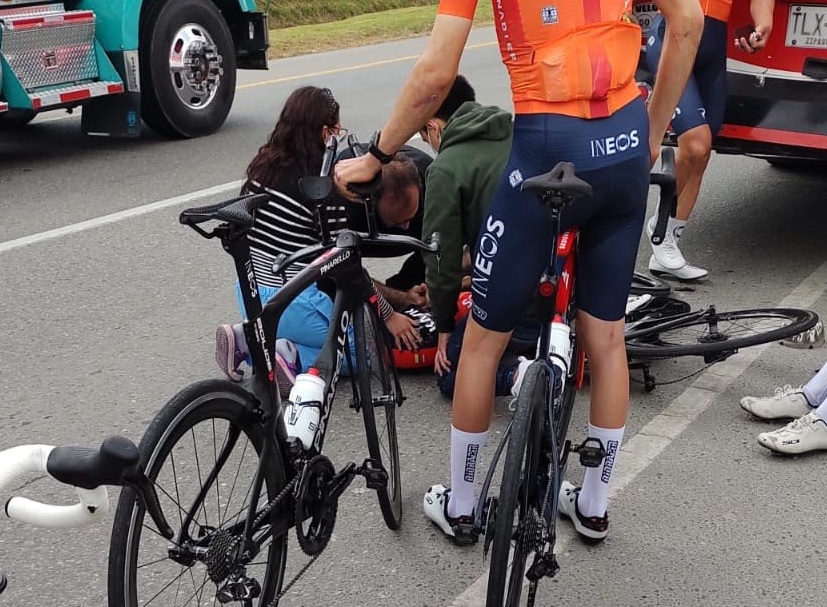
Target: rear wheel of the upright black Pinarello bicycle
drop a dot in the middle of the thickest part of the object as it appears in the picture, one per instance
(204, 407)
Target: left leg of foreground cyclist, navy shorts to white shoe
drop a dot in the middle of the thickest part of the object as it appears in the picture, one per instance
(505, 274)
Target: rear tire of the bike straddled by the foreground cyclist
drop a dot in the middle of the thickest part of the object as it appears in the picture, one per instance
(521, 492)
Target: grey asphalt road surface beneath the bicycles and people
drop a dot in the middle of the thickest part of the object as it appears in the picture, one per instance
(109, 308)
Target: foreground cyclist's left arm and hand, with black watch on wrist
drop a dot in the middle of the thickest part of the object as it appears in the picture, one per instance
(423, 92)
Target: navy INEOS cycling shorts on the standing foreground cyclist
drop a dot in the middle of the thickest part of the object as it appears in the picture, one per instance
(515, 239)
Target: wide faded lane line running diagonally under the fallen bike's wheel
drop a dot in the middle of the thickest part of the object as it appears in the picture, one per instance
(644, 447)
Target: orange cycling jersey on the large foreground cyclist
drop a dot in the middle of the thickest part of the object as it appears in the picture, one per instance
(576, 58)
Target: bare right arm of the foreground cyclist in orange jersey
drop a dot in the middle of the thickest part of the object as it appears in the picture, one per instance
(685, 21)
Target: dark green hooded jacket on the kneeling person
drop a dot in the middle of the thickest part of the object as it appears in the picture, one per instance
(460, 184)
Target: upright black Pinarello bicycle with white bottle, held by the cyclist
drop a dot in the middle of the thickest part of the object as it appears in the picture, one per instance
(231, 544)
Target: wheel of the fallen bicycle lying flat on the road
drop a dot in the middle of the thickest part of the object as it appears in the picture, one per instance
(690, 335)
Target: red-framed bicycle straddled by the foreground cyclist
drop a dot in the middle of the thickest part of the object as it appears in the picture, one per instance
(522, 519)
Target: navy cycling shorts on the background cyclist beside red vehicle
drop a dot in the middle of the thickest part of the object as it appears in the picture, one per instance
(704, 98)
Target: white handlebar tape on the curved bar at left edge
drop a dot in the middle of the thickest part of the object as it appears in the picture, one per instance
(26, 459)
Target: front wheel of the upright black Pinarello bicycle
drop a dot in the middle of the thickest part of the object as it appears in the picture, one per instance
(380, 395)
